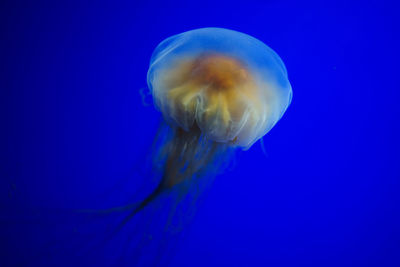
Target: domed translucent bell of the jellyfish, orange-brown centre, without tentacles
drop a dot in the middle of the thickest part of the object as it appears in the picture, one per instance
(229, 84)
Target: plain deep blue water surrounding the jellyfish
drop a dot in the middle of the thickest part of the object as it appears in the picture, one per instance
(75, 134)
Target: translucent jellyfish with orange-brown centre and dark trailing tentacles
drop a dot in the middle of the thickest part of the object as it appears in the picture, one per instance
(217, 90)
